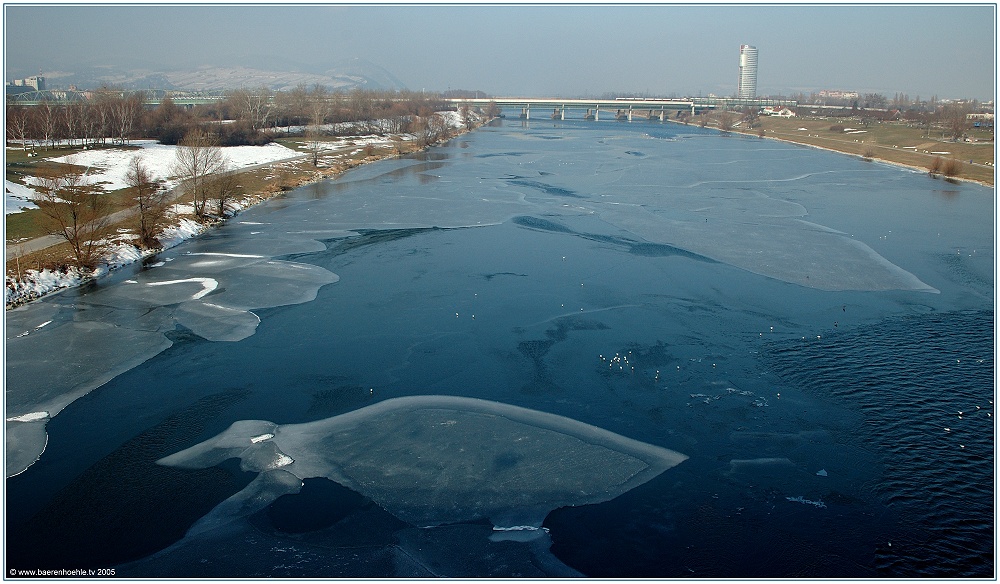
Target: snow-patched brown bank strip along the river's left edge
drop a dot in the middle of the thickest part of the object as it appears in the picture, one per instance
(24, 283)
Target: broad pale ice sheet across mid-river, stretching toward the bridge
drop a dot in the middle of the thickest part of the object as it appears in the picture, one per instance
(739, 216)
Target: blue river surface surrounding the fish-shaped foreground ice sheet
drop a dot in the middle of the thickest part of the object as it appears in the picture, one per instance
(813, 331)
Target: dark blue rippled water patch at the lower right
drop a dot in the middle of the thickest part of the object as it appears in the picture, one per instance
(924, 385)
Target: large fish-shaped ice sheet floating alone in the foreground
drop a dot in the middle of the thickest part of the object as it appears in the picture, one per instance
(432, 460)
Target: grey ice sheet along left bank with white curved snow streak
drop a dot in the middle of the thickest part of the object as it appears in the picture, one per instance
(116, 327)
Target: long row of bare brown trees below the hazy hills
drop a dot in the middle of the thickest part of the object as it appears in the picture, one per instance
(245, 116)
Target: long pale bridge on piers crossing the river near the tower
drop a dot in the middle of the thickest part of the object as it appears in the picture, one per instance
(620, 108)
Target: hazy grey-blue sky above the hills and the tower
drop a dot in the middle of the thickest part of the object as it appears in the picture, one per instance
(541, 50)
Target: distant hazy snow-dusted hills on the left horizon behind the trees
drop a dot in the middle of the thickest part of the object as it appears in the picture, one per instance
(342, 75)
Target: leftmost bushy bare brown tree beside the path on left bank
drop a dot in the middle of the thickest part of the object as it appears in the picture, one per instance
(77, 212)
